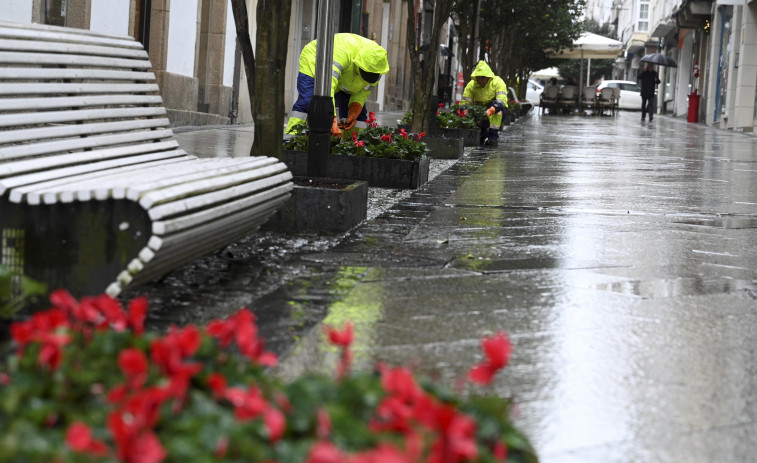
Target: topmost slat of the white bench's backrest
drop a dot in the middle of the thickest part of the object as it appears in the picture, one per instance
(49, 33)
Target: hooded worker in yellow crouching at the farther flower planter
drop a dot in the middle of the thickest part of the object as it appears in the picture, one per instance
(488, 90)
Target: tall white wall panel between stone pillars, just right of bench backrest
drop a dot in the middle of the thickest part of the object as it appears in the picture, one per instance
(182, 38)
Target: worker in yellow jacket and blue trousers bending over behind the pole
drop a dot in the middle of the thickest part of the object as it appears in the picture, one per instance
(357, 66)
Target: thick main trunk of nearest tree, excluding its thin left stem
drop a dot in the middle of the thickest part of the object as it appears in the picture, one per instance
(270, 76)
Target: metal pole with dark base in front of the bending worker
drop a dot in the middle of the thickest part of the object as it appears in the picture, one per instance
(321, 109)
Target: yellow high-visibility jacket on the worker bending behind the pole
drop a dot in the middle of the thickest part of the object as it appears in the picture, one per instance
(351, 52)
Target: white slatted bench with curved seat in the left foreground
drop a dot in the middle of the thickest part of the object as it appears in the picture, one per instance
(95, 192)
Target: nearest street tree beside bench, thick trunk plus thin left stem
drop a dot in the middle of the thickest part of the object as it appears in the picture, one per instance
(266, 74)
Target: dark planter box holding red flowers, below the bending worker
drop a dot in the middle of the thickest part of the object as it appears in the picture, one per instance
(387, 173)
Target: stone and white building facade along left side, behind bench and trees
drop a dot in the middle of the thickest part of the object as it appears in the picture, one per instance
(192, 46)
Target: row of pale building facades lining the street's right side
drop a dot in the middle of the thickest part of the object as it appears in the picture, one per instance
(714, 43)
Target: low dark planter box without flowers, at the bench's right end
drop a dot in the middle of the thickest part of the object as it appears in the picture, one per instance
(322, 206)
